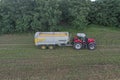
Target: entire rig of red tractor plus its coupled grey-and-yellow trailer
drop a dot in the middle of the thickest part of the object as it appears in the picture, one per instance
(52, 39)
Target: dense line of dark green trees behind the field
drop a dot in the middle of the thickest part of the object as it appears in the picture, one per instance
(48, 15)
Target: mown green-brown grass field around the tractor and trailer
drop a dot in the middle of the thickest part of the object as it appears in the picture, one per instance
(21, 60)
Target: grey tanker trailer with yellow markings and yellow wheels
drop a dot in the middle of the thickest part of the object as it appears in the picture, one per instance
(51, 39)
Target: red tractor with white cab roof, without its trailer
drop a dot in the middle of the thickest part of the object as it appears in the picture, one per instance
(81, 41)
